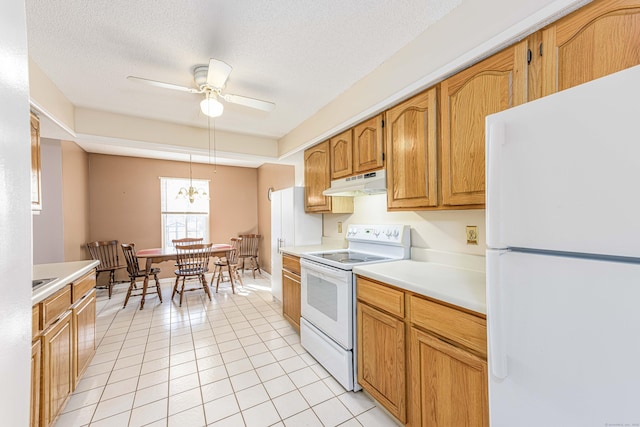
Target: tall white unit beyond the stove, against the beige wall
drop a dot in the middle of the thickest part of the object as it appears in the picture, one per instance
(290, 226)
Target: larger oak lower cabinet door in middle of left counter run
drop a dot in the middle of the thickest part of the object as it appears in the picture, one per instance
(57, 367)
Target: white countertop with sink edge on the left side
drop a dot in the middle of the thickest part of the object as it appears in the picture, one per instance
(65, 272)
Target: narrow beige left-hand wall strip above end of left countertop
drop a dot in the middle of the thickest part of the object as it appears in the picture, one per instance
(75, 201)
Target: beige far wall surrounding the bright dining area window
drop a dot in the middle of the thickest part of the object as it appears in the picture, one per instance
(124, 200)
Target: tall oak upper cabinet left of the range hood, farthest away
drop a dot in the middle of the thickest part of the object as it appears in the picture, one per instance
(316, 178)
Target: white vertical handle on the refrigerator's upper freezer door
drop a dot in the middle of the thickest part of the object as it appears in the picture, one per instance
(495, 139)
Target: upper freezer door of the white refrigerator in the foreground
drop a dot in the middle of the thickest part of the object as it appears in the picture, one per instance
(563, 171)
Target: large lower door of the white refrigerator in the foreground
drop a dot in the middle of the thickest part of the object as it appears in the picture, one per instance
(563, 341)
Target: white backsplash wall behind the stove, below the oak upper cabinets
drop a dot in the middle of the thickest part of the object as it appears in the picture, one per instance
(440, 230)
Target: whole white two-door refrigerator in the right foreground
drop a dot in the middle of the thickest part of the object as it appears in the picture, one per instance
(563, 258)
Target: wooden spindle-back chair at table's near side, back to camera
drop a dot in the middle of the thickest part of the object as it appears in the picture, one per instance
(192, 261)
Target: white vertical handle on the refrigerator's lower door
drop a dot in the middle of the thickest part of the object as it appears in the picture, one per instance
(495, 309)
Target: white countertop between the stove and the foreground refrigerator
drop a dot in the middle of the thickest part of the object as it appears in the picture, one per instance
(461, 287)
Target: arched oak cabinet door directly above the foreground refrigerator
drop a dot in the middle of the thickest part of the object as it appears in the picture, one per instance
(598, 39)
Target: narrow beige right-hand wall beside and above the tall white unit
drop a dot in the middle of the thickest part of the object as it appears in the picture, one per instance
(277, 177)
